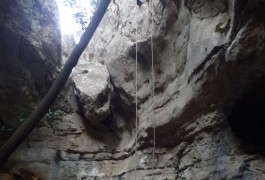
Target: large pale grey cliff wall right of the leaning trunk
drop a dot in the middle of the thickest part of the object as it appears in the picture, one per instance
(209, 75)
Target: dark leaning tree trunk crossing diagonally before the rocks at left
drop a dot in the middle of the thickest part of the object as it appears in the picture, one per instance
(23, 131)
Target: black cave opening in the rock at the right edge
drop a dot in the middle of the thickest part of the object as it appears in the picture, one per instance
(248, 115)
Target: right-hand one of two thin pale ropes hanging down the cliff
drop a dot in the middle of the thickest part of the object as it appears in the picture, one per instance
(153, 82)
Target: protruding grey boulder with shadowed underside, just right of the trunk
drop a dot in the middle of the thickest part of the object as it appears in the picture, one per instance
(93, 90)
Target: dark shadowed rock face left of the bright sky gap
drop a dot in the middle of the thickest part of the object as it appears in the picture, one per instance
(29, 55)
